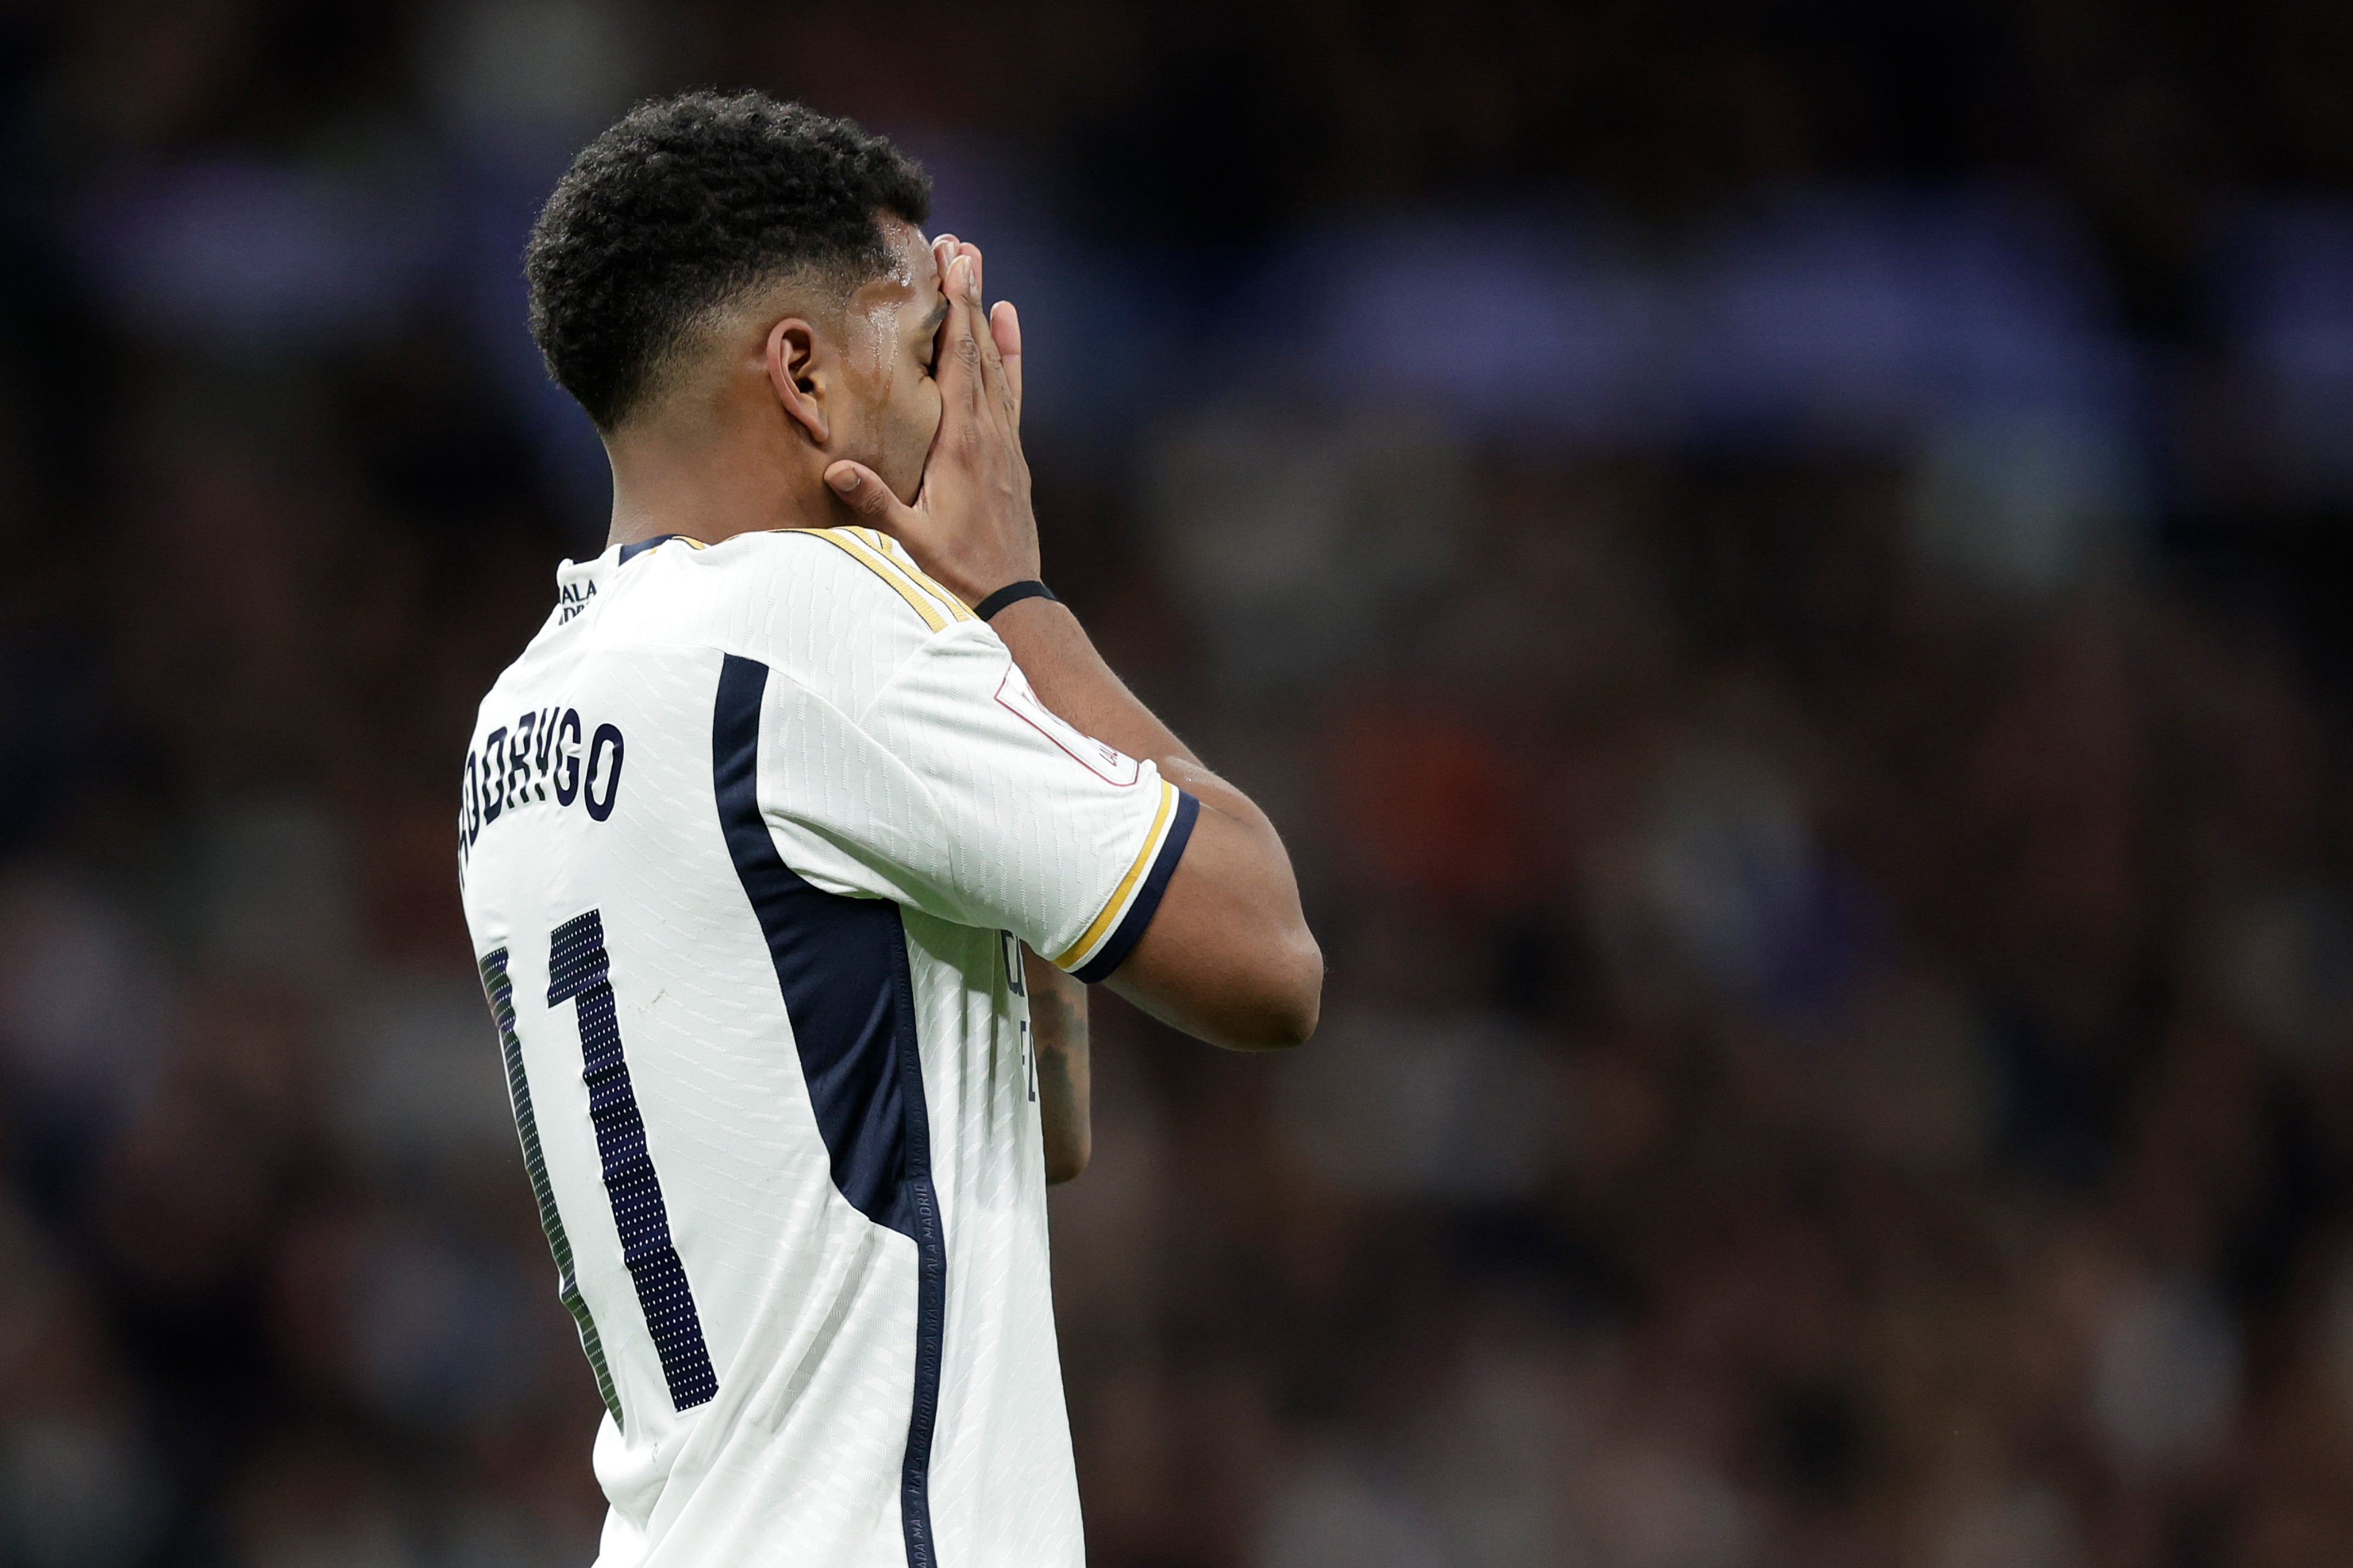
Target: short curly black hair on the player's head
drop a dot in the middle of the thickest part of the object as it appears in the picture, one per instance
(686, 203)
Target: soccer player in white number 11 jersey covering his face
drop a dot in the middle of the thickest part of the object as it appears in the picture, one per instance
(789, 845)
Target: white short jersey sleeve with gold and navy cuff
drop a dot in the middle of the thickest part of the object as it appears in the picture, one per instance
(959, 793)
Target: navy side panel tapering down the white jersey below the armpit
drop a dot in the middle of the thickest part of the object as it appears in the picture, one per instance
(841, 965)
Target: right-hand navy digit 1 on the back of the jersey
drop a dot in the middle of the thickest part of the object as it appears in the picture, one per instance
(582, 974)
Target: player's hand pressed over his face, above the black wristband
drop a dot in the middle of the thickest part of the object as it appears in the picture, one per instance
(971, 525)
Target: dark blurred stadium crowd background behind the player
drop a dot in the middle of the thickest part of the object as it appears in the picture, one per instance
(1782, 568)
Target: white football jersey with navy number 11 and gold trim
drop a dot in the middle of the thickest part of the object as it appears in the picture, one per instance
(749, 838)
